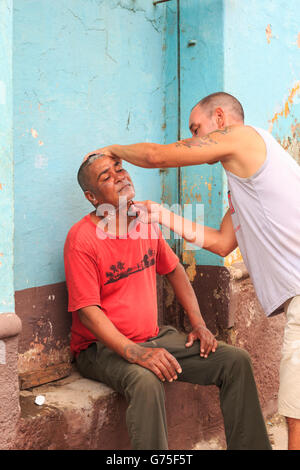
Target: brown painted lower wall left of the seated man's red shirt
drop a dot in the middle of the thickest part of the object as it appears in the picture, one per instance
(44, 342)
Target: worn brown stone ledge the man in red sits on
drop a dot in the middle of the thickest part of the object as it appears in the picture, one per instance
(84, 414)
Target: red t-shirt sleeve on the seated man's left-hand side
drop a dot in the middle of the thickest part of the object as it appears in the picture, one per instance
(82, 278)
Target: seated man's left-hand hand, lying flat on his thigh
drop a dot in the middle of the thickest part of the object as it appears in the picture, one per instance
(158, 360)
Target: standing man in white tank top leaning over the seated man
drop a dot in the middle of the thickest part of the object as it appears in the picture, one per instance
(263, 217)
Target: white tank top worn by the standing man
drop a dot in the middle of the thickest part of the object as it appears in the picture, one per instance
(265, 211)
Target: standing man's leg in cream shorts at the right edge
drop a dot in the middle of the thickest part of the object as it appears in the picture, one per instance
(289, 390)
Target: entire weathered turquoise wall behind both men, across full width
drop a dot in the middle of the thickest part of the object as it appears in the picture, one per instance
(89, 73)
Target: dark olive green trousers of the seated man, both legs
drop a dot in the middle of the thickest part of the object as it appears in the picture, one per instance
(228, 368)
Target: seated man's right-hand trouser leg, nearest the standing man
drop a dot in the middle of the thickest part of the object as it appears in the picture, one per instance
(230, 369)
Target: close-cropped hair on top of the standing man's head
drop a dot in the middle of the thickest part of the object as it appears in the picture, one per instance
(223, 100)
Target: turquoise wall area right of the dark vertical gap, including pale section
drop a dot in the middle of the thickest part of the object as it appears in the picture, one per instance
(251, 50)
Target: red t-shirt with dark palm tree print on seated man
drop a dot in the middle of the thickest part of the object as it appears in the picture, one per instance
(117, 274)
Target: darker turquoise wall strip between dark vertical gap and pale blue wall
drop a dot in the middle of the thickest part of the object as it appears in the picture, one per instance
(202, 73)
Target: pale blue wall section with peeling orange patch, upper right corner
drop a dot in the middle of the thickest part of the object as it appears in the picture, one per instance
(262, 64)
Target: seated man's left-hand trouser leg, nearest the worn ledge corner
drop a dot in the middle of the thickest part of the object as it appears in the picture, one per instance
(144, 392)
